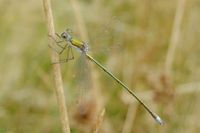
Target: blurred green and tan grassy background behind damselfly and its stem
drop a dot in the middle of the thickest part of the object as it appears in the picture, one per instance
(133, 39)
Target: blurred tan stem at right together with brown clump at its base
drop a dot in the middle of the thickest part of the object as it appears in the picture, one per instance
(165, 92)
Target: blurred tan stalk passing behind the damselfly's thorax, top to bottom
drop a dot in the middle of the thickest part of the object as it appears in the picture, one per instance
(94, 75)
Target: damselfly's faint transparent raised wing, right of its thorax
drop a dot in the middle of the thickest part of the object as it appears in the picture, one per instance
(107, 37)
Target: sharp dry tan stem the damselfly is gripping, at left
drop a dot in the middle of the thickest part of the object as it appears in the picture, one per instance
(56, 70)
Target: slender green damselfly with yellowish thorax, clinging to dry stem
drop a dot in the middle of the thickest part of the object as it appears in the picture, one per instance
(82, 46)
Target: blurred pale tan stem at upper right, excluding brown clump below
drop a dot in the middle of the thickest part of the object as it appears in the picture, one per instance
(174, 36)
